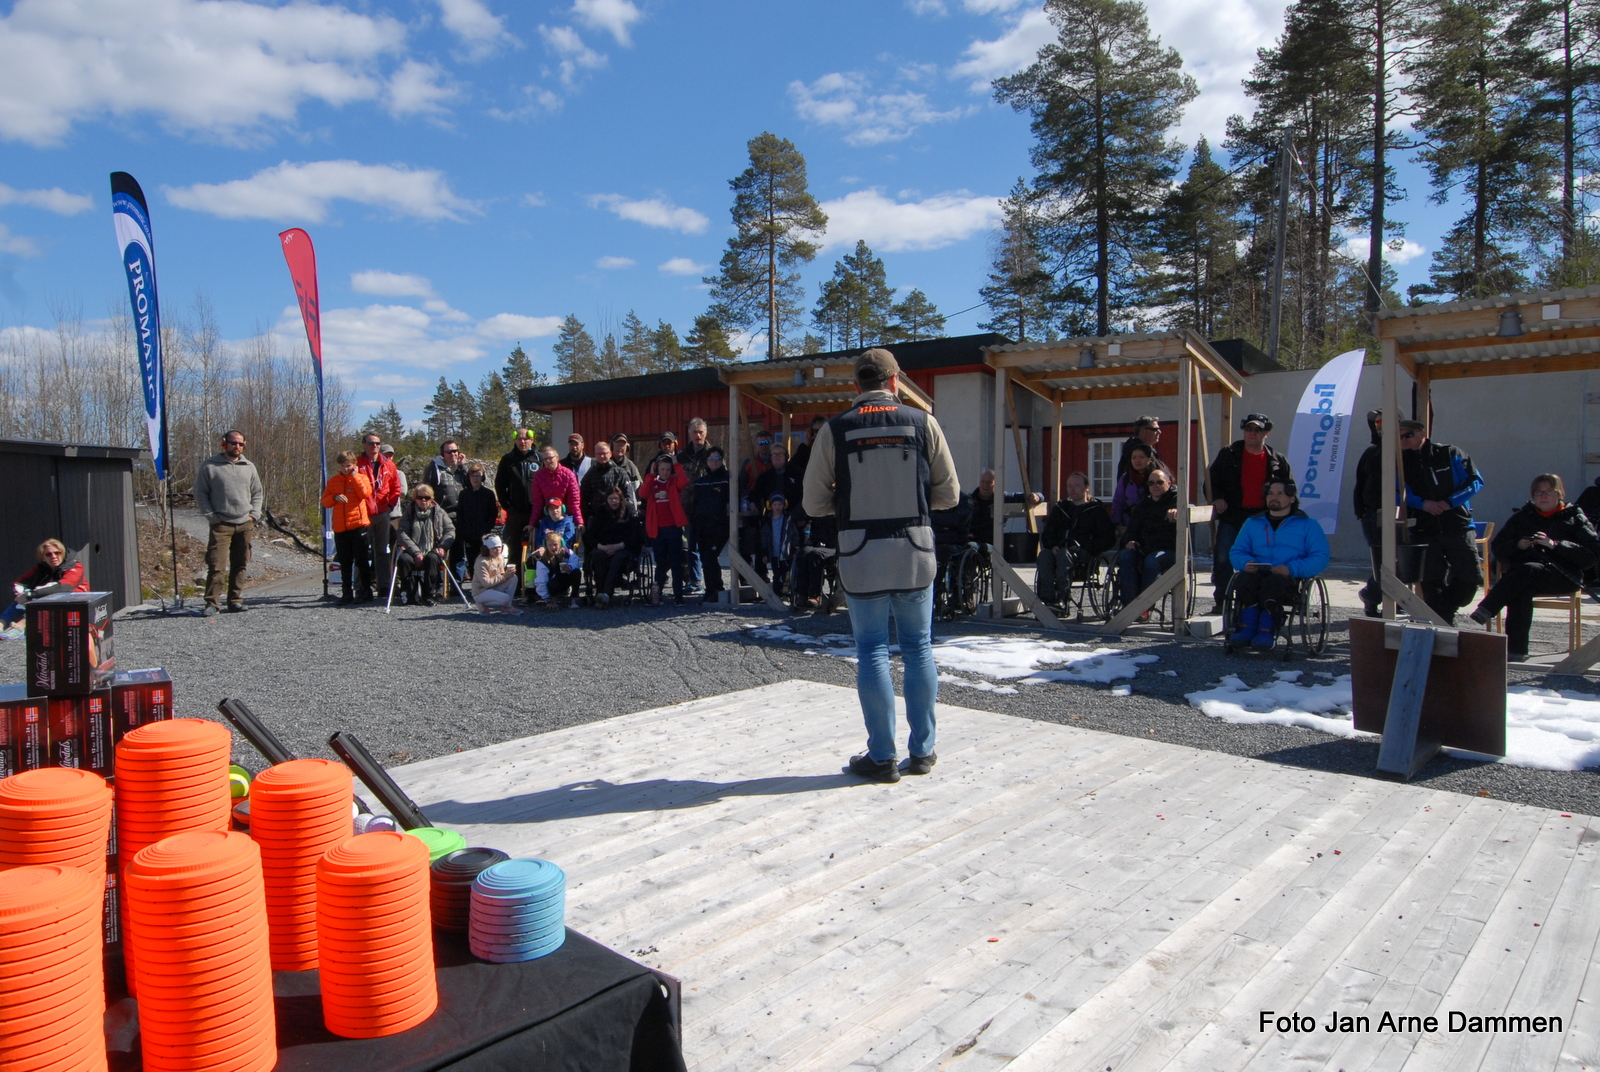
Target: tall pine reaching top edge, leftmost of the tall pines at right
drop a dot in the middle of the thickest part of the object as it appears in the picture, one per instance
(1103, 98)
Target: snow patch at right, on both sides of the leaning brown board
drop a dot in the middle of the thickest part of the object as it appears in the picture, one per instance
(1545, 729)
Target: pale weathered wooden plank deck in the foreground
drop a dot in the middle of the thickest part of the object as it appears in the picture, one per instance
(1049, 898)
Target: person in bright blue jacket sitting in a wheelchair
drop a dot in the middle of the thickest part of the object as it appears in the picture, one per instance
(1273, 553)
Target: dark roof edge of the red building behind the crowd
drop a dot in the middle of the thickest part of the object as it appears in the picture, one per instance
(962, 350)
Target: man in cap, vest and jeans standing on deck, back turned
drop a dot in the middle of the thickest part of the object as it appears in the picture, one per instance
(881, 468)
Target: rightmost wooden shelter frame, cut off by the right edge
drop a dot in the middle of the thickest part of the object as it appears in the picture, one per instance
(1511, 335)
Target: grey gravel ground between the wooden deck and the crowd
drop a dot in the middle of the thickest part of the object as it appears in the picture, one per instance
(423, 682)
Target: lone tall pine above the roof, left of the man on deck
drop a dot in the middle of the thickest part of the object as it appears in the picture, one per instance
(775, 222)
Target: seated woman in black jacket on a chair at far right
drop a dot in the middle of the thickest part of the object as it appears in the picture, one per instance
(1543, 551)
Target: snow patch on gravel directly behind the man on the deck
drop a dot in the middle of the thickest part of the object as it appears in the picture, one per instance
(1020, 660)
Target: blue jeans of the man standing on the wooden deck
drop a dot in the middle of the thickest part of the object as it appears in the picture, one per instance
(870, 620)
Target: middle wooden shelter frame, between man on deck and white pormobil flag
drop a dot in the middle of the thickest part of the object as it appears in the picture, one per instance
(1097, 369)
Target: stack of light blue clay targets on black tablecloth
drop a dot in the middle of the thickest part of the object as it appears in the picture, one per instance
(519, 911)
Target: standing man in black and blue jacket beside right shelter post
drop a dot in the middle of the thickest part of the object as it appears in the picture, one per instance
(1439, 489)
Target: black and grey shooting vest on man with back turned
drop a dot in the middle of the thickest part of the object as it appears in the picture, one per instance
(881, 497)
